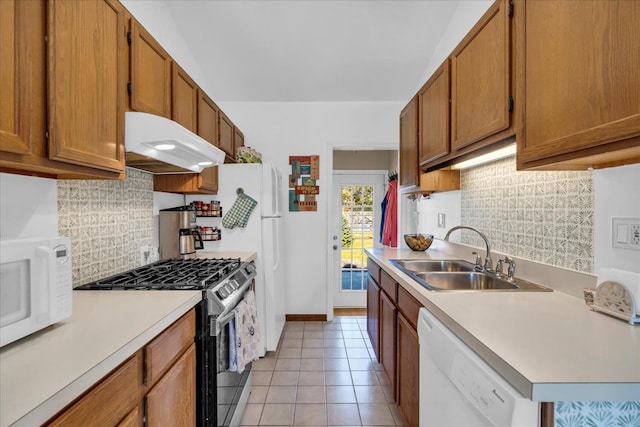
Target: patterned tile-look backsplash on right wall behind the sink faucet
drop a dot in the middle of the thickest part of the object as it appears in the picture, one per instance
(540, 216)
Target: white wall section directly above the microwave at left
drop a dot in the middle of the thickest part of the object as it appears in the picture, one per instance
(28, 207)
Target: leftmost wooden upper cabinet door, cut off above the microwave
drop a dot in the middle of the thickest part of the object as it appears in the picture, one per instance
(22, 76)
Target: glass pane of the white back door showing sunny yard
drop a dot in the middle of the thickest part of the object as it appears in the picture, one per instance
(357, 235)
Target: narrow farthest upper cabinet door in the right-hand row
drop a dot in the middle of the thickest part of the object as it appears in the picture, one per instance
(409, 173)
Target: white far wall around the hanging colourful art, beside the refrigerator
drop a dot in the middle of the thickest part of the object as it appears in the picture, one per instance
(279, 130)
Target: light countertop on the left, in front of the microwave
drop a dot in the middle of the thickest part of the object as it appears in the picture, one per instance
(42, 373)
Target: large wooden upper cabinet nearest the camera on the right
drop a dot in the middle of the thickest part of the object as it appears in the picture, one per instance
(578, 89)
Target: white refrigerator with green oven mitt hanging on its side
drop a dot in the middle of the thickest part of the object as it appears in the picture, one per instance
(262, 234)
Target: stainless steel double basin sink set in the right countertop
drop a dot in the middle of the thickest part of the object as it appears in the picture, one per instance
(458, 275)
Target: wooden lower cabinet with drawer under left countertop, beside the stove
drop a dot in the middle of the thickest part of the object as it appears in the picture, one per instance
(157, 384)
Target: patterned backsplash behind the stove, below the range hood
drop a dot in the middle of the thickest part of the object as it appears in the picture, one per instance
(107, 221)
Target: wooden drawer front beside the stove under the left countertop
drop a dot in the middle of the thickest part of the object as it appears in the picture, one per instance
(163, 351)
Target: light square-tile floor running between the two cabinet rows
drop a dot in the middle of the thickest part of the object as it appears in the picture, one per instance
(322, 374)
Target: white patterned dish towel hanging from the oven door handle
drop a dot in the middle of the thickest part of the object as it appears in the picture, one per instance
(246, 331)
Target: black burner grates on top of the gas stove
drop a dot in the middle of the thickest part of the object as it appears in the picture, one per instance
(191, 274)
